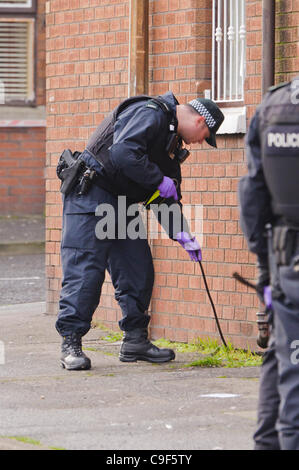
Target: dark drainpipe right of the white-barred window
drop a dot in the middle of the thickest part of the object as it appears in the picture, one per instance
(268, 44)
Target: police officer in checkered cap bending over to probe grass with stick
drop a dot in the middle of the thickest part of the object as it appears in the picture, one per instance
(135, 151)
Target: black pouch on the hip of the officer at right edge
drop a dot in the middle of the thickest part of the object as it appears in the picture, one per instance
(285, 242)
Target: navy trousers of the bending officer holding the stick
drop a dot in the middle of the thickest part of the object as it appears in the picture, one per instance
(85, 259)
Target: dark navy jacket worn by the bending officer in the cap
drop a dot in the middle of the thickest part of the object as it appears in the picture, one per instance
(138, 154)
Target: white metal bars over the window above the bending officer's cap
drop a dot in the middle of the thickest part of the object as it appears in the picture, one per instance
(228, 50)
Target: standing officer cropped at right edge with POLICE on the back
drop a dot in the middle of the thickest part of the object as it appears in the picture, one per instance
(269, 196)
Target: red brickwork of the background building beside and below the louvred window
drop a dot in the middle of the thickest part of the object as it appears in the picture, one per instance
(22, 149)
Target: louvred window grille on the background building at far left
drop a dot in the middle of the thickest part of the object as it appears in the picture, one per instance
(16, 60)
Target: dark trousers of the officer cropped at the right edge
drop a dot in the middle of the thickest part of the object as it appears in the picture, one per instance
(278, 410)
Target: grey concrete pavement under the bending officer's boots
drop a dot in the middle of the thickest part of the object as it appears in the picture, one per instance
(114, 405)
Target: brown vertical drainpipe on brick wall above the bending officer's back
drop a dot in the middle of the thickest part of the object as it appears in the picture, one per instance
(139, 47)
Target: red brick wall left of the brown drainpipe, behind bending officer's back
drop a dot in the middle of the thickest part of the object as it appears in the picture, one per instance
(87, 75)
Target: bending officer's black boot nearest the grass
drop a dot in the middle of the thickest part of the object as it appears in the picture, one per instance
(137, 347)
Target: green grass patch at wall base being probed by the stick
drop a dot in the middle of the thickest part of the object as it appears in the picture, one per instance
(211, 354)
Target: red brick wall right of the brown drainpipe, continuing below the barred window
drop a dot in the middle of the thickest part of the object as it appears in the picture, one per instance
(181, 61)
